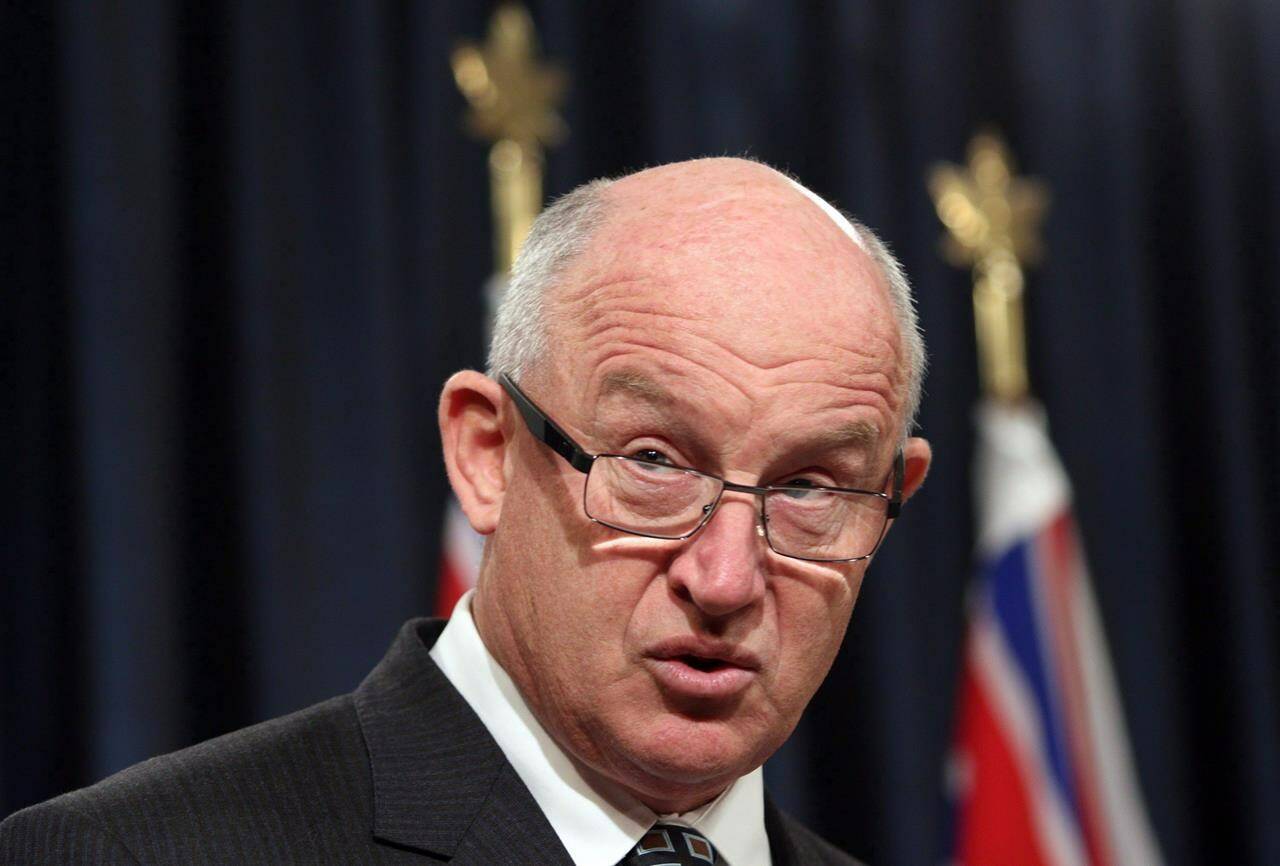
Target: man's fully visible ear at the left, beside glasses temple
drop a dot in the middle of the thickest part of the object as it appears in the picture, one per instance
(476, 446)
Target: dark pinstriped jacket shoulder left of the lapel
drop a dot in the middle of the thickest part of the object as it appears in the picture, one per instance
(226, 799)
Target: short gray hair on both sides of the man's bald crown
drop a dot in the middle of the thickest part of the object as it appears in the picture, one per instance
(564, 231)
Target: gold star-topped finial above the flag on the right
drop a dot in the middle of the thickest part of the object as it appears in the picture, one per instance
(993, 221)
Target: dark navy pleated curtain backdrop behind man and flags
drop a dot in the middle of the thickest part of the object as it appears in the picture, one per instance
(244, 244)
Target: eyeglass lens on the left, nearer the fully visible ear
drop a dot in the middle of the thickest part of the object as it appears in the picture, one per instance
(648, 498)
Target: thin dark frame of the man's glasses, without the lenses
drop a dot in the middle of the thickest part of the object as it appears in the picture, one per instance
(548, 433)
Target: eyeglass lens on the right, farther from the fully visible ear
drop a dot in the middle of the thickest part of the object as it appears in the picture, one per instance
(825, 525)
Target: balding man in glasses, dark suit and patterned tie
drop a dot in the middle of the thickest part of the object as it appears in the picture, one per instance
(693, 438)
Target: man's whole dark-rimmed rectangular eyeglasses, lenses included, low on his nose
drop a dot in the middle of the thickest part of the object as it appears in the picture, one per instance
(661, 501)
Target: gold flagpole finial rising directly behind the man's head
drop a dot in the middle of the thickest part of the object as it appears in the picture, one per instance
(514, 104)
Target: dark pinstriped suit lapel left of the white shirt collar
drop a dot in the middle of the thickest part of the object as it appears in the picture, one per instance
(441, 783)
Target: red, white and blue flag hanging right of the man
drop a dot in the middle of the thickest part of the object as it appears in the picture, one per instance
(1041, 771)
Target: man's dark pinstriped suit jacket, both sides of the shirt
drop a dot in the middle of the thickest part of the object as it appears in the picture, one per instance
(400, 772)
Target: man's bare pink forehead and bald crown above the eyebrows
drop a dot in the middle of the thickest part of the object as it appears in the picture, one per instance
(734, 283)
